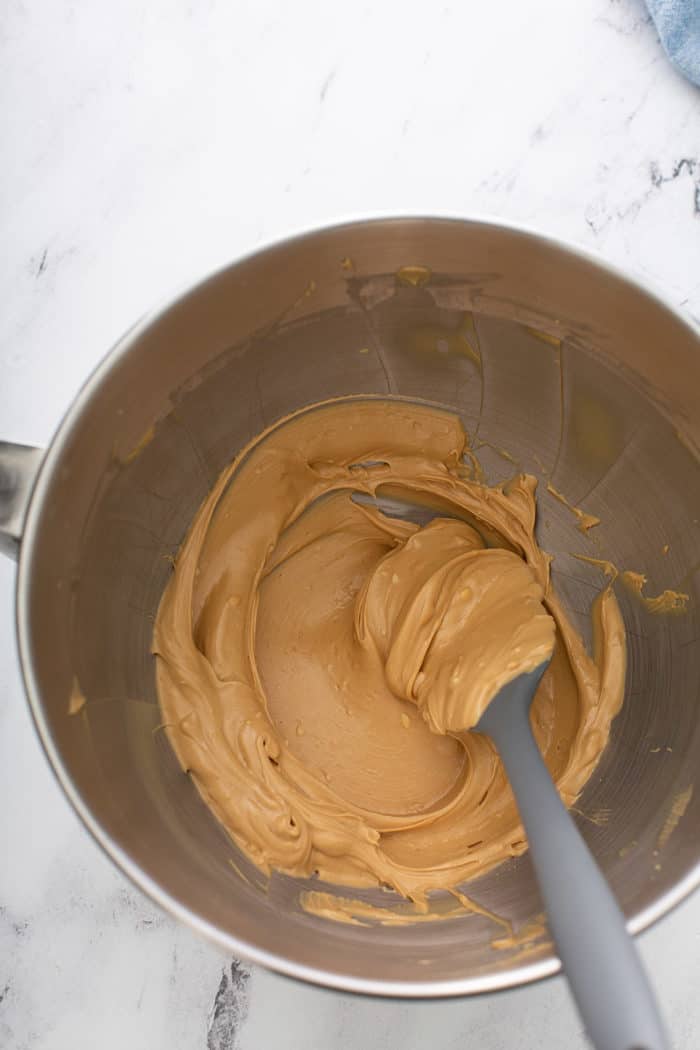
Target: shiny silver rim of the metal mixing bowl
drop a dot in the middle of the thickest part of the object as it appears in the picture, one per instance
(510, 978)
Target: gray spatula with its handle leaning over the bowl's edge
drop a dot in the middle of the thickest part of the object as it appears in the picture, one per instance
(612, 992)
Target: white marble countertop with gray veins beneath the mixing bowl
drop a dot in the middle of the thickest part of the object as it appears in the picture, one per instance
(146, 143)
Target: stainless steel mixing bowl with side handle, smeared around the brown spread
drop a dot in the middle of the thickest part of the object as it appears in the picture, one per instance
(588, 379)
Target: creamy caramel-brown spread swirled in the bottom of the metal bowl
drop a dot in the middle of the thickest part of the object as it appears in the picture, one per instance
(319, 661)
